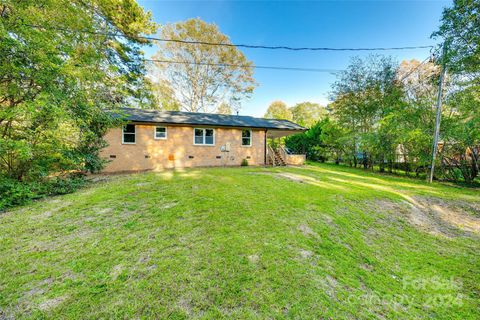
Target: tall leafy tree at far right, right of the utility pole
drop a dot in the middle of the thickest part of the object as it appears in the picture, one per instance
(460, 32)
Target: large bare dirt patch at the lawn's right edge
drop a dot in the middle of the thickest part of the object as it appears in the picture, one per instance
(437, 216)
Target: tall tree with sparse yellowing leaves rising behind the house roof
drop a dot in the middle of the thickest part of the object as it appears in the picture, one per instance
(201, 75)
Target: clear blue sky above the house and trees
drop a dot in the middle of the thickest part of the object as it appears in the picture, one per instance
(303, 23)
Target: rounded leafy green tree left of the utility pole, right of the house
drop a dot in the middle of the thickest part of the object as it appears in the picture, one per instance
(366, 92)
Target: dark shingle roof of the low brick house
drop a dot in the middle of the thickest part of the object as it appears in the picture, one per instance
(207, 119)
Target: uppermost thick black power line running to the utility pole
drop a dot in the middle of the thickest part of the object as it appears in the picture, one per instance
(249, 46)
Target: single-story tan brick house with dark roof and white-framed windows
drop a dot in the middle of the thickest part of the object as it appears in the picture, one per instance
(155, 140)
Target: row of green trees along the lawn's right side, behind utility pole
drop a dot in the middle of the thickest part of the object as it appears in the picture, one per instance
(383, 113)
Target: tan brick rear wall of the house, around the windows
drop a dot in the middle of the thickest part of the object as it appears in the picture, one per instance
(178, 150)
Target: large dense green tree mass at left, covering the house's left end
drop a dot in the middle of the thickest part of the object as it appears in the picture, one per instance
(58, 78)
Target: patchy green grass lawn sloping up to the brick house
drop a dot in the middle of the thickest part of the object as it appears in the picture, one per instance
(312, 242)
